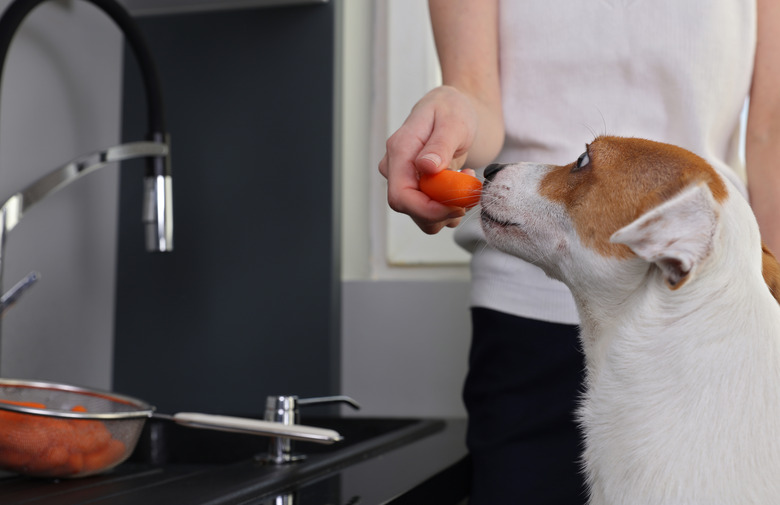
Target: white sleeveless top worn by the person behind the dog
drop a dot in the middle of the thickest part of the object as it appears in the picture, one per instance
(675, 71)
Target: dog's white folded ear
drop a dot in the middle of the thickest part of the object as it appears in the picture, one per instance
(676, 235)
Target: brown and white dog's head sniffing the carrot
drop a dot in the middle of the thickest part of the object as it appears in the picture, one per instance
(626, 206)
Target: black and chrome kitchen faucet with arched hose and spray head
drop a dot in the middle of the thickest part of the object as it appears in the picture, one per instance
(158, 210)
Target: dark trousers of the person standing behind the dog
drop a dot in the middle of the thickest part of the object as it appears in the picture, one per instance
(521, 393)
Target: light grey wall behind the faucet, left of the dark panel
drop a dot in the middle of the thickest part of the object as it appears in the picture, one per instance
(60, 99)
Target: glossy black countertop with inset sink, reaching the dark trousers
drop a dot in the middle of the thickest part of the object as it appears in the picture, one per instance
(418, 463)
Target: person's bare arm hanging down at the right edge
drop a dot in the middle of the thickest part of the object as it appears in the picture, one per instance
(762, 140)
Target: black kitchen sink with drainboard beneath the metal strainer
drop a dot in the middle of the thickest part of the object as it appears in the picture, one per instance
(177, 464)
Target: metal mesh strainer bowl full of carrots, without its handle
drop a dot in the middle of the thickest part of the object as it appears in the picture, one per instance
(57, 430)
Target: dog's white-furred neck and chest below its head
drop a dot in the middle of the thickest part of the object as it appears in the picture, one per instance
(680, 358)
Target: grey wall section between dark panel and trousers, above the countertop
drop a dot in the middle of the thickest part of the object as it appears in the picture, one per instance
(405, 346)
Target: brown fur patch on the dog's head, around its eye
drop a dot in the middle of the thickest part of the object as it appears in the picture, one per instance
(625, 178)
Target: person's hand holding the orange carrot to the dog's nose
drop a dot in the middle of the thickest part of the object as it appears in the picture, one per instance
(437, 134)
